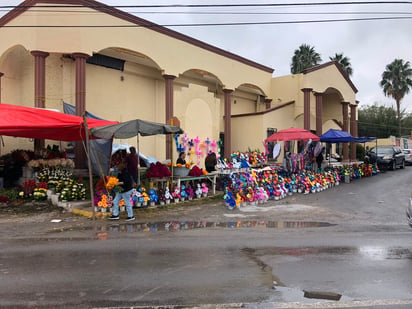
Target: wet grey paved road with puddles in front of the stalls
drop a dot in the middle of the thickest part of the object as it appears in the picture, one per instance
(350, 240)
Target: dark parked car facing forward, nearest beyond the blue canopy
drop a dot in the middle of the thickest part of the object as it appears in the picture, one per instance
(389, 157)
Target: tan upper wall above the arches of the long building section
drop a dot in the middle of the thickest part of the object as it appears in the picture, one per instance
(88, 40)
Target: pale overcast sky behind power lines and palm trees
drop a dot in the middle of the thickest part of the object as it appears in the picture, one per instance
(370, 44)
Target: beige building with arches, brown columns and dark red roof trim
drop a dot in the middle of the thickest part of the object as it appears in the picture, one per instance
(121, 67)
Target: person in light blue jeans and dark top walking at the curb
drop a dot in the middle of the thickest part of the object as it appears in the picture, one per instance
(126, 183)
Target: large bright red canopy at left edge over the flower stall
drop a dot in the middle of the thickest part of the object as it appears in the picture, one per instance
(22, 121)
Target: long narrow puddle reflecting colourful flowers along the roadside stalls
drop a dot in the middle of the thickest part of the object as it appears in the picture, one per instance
(191, 225)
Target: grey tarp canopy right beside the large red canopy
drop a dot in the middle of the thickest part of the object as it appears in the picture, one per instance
(133, 128)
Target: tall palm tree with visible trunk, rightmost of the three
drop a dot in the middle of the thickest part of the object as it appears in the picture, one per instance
(396, 83)
